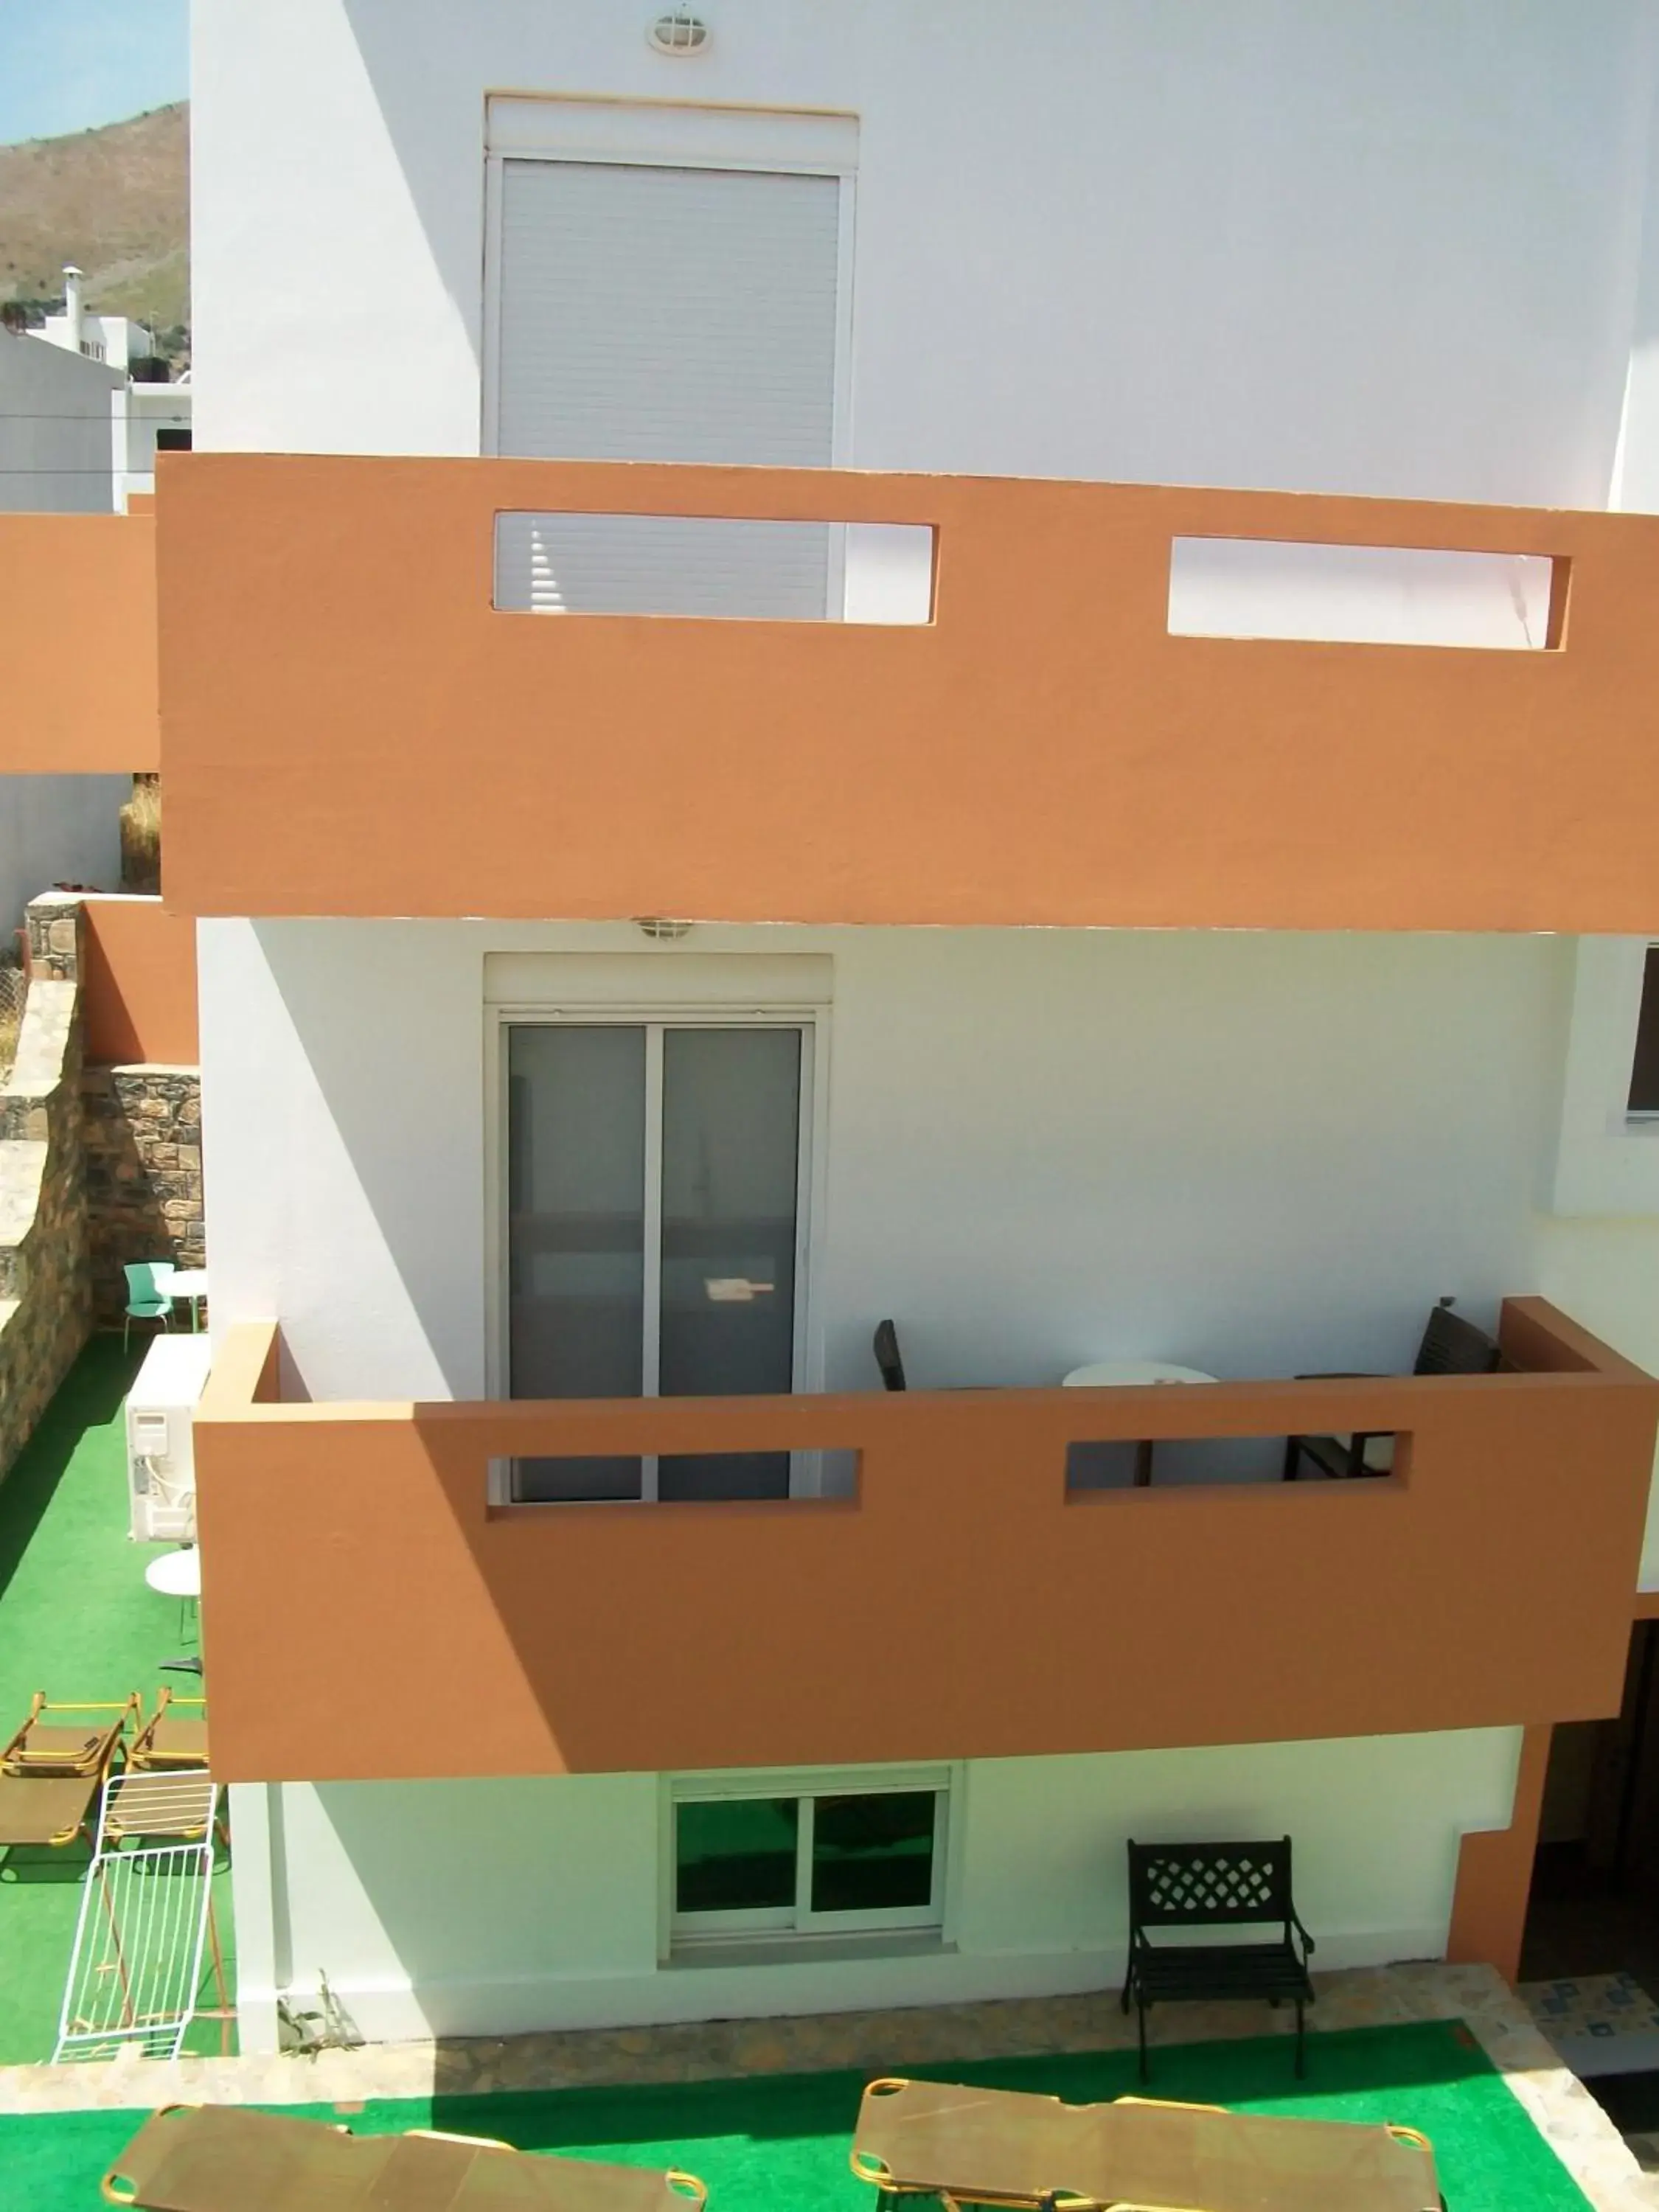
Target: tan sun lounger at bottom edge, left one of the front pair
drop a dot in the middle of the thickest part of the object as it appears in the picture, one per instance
(216, 2158)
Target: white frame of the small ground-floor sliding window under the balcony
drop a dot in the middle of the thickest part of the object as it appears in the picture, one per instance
(685, 1934)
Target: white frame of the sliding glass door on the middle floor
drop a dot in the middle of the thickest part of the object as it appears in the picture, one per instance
(813, 1021)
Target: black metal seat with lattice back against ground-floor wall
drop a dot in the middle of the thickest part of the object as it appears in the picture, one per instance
(1213, 1886)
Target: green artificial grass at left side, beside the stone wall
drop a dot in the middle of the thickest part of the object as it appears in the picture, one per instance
(79, 1623)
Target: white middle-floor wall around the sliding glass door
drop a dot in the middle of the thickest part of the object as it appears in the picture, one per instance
(1238, 1151)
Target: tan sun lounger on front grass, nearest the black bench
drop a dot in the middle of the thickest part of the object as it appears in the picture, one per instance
(1003, 2149)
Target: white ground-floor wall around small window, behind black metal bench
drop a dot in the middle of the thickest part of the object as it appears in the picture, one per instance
(497, 1908)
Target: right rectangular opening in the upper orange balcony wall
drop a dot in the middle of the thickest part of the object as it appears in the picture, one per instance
(1366, 596)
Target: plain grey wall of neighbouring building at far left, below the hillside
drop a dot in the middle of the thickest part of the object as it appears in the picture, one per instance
(54, 430)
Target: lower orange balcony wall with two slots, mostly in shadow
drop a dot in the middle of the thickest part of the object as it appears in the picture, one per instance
(366, 1614)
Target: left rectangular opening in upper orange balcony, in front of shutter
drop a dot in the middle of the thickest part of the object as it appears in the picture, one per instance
(716, 567)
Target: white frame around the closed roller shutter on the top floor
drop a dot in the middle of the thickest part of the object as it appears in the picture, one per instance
(665, 136)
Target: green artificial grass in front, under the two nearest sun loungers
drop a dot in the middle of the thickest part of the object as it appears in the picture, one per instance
(780, 2142)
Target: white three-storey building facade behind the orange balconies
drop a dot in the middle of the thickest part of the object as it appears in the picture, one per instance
(1370, 251)
